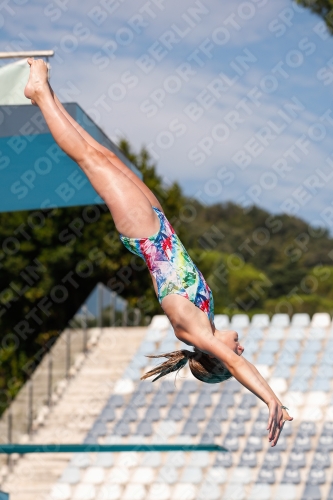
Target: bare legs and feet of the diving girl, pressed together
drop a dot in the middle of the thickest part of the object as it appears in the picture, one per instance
(130, 208)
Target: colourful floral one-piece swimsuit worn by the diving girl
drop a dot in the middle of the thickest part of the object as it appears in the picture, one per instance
(171, 266)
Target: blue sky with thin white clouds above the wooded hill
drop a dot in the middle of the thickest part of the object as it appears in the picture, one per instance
(232, 98)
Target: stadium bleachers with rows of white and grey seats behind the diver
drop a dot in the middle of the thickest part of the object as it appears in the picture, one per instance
(296, 358)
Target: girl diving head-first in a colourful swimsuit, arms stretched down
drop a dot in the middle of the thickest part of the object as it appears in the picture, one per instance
(180, 287)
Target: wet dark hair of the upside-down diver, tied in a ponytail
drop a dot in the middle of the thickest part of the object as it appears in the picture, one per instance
(202, 366)
